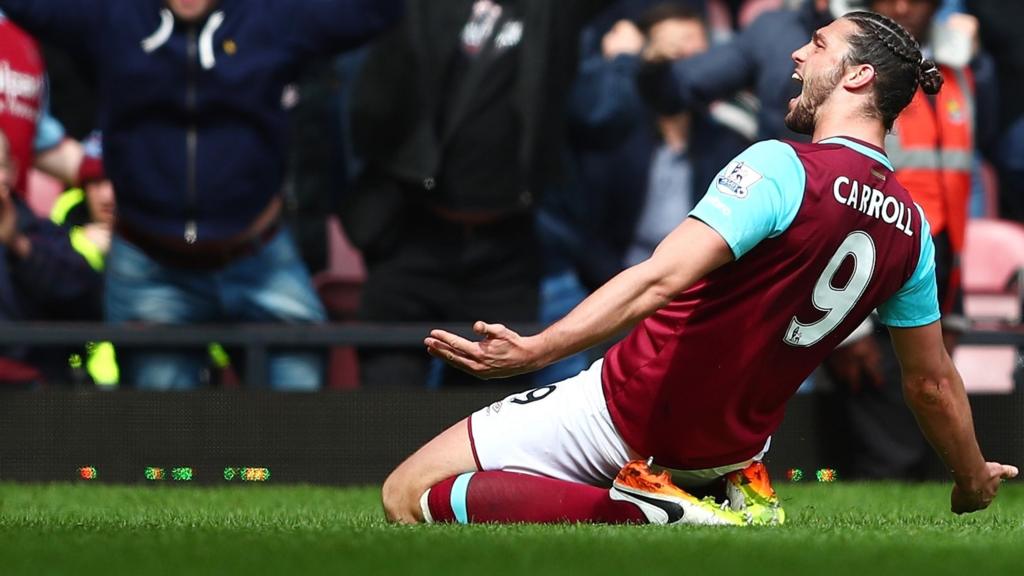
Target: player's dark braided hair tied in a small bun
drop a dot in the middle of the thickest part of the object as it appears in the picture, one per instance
(900, 68)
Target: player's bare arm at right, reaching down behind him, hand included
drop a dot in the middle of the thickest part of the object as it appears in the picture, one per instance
(934, 391)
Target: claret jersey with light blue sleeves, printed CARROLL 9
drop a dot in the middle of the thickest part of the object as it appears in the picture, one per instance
(823, 235)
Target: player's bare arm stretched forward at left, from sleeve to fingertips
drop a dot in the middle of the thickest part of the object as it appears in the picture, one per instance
(690, 254)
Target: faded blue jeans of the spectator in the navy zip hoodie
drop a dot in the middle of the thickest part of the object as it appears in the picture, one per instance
(272, 285)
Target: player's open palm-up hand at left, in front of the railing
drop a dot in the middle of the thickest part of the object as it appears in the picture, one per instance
(501, 353)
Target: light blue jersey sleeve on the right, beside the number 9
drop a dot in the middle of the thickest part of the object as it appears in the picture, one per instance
(917, 304)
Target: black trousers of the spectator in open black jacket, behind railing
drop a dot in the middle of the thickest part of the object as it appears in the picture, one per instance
(448, 272)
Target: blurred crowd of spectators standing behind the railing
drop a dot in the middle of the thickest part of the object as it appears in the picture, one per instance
(445, 161)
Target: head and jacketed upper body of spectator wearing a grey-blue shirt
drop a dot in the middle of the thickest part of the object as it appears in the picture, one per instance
(649, 177)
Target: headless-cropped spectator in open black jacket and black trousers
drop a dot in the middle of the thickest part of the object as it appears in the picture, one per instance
(459, 117)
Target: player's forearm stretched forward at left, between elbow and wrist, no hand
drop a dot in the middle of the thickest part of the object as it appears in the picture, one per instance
(626, 300)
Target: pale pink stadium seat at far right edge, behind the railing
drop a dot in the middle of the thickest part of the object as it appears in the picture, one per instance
(993, 268)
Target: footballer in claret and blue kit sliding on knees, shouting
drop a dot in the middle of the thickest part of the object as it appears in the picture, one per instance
(794, 245)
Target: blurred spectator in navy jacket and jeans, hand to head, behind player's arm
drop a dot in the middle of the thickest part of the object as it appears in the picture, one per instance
(637, 174)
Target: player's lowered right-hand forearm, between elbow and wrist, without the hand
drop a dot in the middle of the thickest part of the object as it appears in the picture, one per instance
(944, 413)
